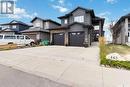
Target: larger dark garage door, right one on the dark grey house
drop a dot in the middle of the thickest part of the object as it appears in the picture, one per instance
(76, 38)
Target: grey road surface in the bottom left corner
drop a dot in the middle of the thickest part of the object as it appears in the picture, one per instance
(14, 78)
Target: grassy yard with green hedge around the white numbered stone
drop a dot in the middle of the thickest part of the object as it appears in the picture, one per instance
(106, 49)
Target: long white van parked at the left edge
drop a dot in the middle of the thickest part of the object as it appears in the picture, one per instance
(15, 39)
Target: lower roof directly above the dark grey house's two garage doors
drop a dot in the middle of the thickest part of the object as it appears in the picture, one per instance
(68, 25)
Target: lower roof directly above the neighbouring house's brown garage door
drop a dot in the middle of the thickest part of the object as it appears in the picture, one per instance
(35, 29)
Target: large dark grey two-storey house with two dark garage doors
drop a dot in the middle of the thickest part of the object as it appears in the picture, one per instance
(77, 28)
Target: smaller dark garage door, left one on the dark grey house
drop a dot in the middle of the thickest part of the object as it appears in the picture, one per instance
(58, 39)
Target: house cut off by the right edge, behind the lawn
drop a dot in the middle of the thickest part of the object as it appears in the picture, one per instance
(121, 30)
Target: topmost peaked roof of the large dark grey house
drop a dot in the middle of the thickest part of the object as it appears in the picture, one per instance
(70, 13)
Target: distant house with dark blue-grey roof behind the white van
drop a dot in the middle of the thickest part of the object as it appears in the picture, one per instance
(14, 27)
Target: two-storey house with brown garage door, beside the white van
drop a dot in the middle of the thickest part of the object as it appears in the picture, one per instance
(40, 29)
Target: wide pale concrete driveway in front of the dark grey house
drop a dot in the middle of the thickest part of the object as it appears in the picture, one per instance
(74, 66)
